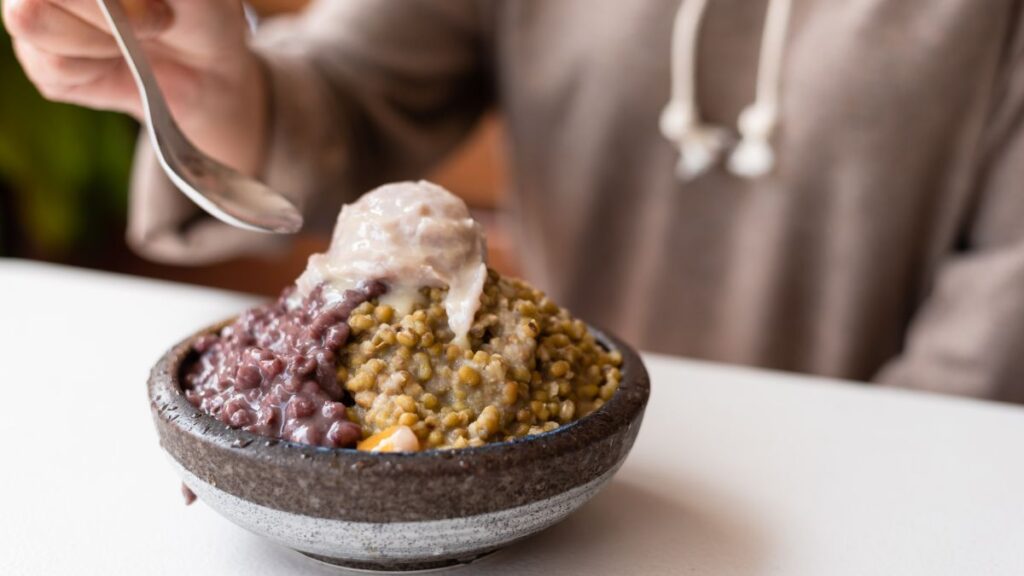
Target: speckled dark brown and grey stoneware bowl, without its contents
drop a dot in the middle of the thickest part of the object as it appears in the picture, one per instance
(396, 512)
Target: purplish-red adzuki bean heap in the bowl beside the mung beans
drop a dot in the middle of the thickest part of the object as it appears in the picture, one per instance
(274, 371)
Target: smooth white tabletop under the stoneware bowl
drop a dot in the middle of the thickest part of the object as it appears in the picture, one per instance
(736, 471)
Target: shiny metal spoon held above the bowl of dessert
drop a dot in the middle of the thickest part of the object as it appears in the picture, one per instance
(221, 191)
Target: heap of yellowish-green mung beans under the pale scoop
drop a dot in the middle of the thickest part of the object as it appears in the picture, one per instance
(530, 367)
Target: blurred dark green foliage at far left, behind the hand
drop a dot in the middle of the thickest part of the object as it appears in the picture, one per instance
(64, 172)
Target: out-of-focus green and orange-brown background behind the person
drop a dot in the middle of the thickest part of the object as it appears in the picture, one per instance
(64, 188)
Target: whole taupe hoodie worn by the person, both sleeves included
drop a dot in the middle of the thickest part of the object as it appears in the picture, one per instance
(887, 244)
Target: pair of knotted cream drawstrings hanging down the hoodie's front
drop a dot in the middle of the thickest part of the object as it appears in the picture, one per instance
(701, 146)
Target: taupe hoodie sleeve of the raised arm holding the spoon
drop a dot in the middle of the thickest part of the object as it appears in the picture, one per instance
(362, 93)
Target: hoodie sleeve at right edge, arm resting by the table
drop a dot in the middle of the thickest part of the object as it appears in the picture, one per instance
(968, 338)
